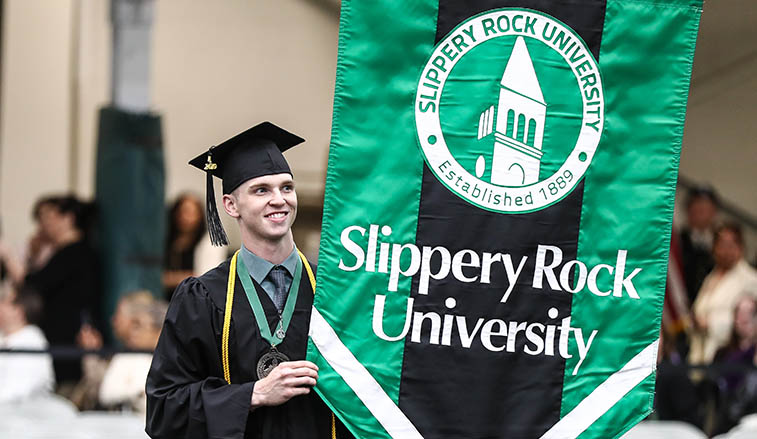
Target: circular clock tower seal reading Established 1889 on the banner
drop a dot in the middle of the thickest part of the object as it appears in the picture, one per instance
(509, 110)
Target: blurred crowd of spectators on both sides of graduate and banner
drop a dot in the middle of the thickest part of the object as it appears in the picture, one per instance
(50, 301)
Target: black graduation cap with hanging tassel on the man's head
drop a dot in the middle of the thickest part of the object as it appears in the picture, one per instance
(252, 153)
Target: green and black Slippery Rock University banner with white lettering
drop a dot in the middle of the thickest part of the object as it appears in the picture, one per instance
(497, 217)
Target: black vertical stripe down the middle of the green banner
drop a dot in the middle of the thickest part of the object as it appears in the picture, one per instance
(458, 392)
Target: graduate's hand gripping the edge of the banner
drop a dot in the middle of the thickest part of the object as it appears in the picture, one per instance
(287, 380)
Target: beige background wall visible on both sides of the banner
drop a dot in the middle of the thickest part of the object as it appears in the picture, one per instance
(220, 67)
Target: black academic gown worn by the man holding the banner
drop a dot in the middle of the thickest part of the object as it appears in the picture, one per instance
(187, 396)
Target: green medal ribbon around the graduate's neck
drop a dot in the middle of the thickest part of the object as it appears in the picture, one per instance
(257, 307)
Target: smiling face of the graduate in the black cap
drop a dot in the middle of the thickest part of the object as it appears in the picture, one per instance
(266, 206)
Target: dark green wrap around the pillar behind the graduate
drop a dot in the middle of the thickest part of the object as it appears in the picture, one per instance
(130, 195)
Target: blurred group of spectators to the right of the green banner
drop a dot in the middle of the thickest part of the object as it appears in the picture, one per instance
(707, 373)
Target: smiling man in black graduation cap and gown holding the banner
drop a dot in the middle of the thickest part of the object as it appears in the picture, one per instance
(266, 389)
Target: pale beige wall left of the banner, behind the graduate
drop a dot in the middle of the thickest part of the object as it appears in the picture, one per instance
(217, 69)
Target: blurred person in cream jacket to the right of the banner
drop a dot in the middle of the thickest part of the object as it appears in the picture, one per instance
(713, 309)
